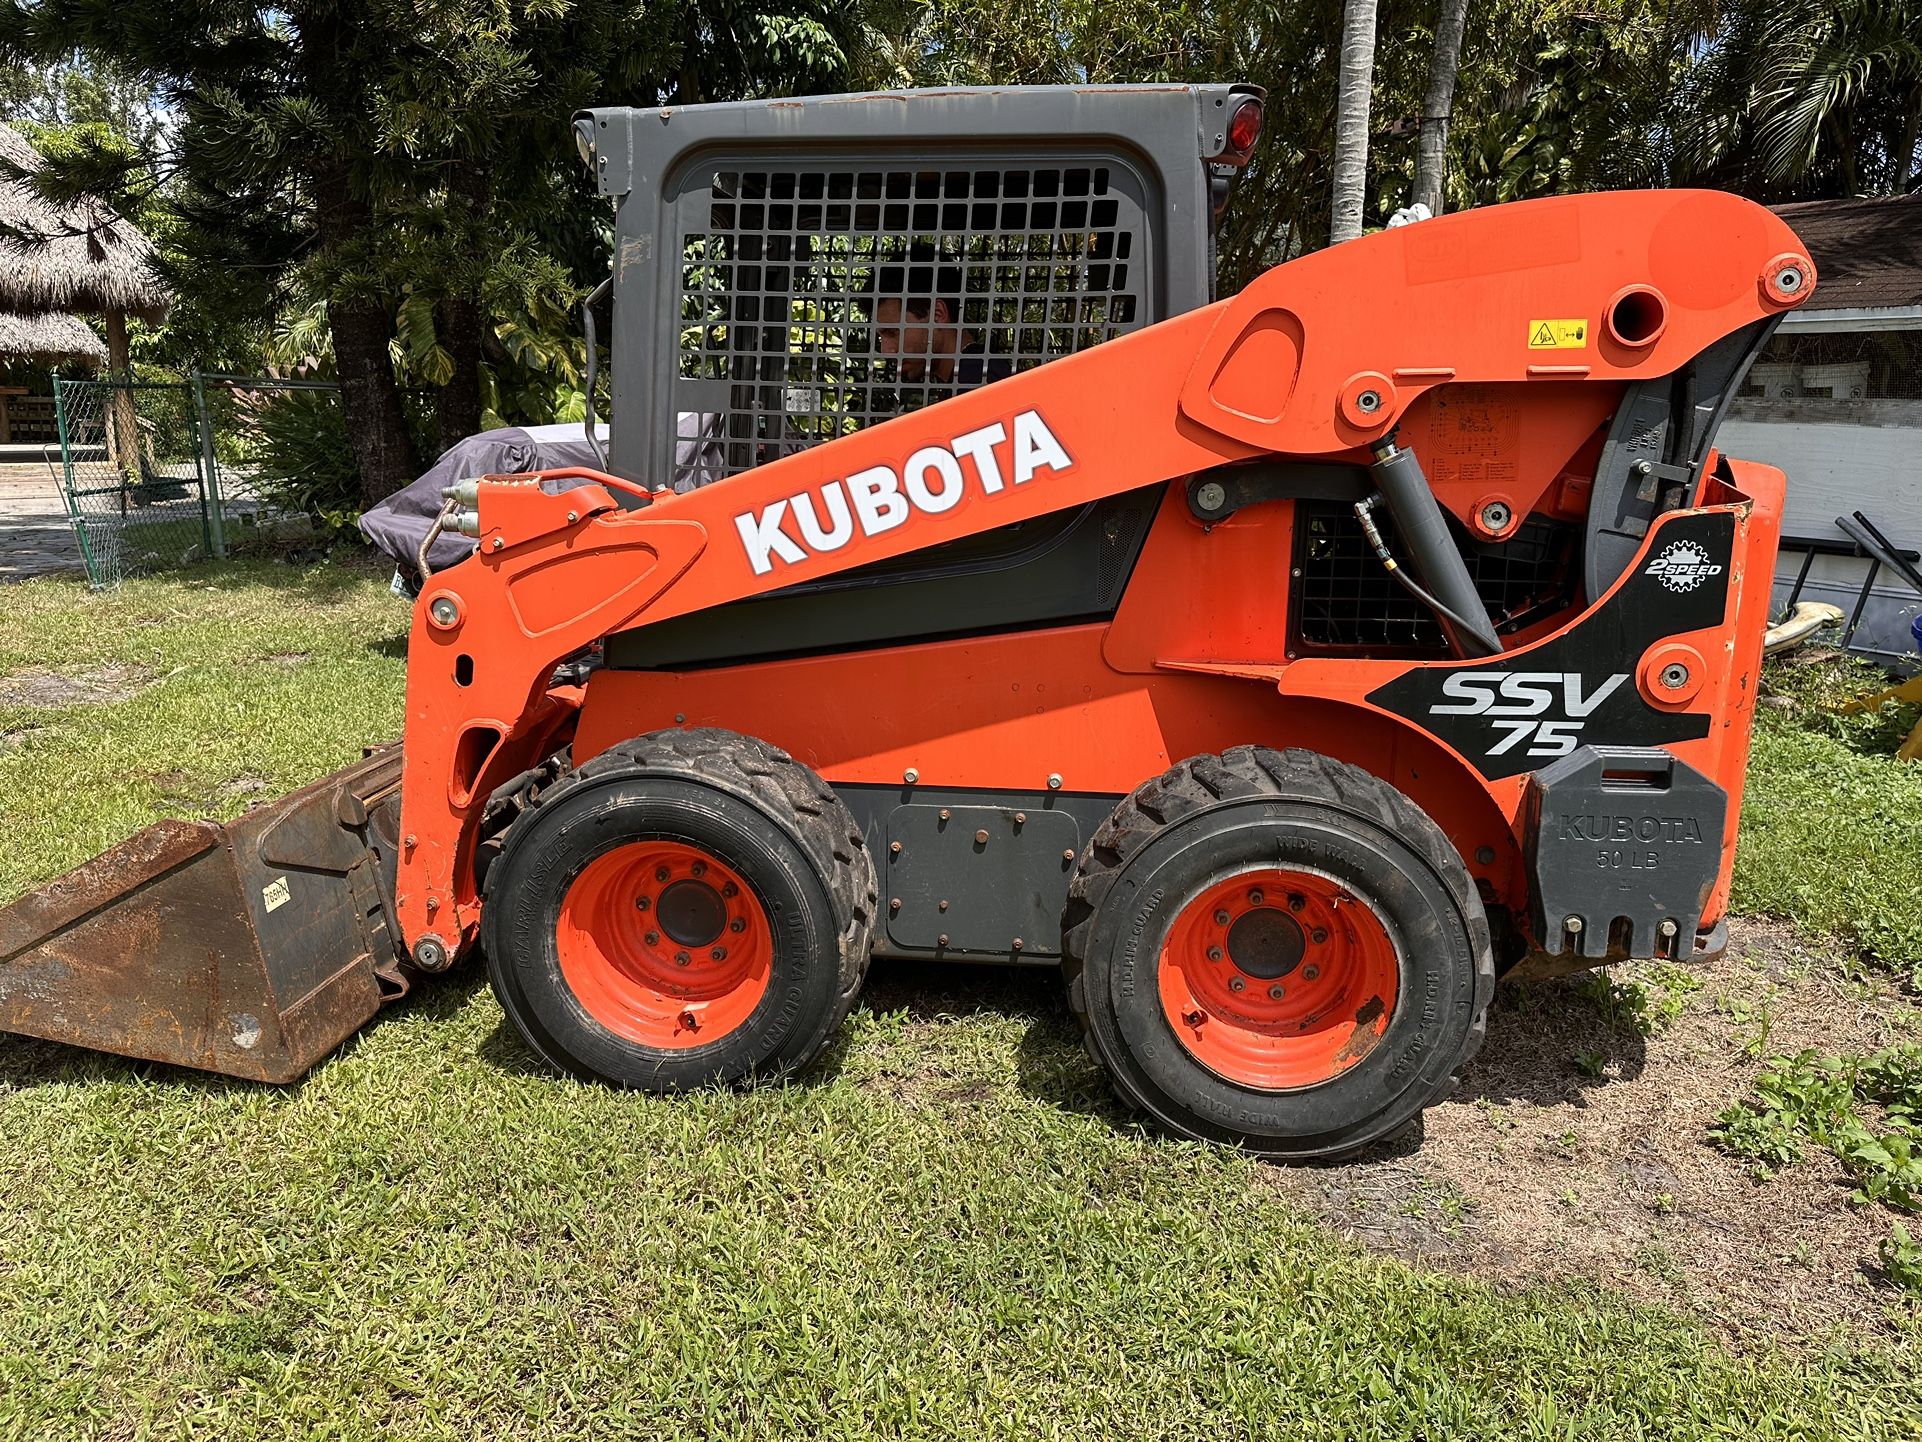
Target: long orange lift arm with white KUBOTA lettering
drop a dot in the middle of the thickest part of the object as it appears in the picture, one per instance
(1318, 359)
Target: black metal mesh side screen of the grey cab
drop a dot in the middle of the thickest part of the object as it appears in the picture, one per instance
(816, 301)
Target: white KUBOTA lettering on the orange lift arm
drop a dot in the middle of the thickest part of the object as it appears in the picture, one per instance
(879, 499)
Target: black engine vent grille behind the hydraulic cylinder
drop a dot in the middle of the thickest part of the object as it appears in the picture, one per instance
(1344, 601)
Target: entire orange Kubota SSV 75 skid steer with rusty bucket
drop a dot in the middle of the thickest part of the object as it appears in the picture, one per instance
(1283, 666)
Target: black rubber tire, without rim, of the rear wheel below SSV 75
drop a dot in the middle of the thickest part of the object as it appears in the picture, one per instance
(1246, 808)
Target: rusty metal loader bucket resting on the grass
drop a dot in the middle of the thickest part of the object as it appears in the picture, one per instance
(247, 949)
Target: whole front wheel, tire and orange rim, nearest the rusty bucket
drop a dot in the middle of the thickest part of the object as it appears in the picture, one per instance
(689, 908)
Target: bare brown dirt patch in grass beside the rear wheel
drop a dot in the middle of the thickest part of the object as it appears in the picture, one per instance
(1581, 1149)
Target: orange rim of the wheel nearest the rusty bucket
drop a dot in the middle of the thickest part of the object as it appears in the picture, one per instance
(664, 945)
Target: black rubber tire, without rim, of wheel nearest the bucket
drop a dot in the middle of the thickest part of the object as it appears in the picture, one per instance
(747, 803)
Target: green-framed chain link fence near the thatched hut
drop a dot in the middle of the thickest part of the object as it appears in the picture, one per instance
(162, 474)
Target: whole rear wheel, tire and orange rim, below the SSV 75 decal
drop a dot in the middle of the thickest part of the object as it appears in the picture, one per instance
(1277, 951)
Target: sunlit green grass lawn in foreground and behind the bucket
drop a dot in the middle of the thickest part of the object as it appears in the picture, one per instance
(947, 1231)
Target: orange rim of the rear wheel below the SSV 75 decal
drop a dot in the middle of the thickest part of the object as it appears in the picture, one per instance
(1279, 980)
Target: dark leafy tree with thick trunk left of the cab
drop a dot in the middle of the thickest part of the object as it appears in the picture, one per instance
(405, 164)
